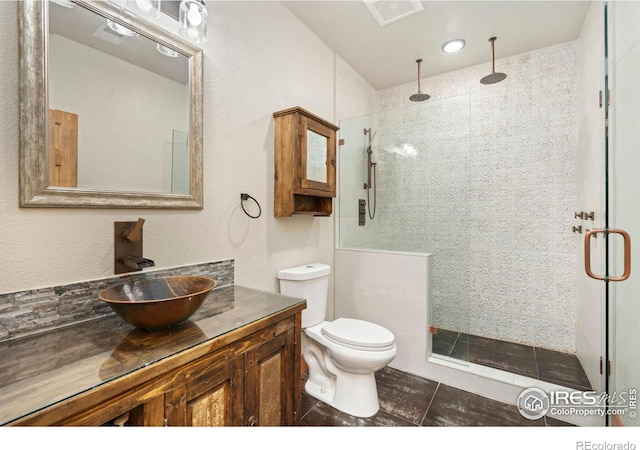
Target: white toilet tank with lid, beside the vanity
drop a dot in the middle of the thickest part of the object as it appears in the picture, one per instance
(310, 282)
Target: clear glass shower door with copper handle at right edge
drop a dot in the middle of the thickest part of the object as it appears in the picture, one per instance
(623, 210)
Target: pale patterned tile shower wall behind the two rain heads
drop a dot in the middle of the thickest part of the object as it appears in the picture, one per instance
(484, 177)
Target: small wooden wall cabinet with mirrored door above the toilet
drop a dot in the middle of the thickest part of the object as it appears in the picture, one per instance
(305, 163)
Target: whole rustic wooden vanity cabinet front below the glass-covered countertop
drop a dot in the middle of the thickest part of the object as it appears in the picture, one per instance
(251, 380)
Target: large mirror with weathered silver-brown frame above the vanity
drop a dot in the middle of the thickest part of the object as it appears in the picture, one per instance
(112, 115)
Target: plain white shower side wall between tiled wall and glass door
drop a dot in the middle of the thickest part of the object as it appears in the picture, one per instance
(590, 293)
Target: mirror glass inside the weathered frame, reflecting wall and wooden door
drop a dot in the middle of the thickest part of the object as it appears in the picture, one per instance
(139, 100)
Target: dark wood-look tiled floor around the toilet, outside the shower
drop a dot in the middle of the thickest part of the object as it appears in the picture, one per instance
(408, 400)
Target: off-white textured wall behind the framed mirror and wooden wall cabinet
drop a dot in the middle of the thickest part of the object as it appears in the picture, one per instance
(259, 59)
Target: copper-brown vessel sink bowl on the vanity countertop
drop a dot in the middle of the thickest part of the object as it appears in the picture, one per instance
(158, 303)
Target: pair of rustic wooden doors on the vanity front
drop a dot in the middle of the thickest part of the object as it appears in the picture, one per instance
(255, 386)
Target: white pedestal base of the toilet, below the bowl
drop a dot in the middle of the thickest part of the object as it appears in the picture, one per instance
(353, 393)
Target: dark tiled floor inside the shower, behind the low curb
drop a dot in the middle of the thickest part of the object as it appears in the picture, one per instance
(539, 363)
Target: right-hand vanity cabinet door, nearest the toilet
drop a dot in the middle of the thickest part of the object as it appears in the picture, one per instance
(271, 385)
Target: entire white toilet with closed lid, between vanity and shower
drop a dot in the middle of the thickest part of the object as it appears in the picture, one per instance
(342, 355)
